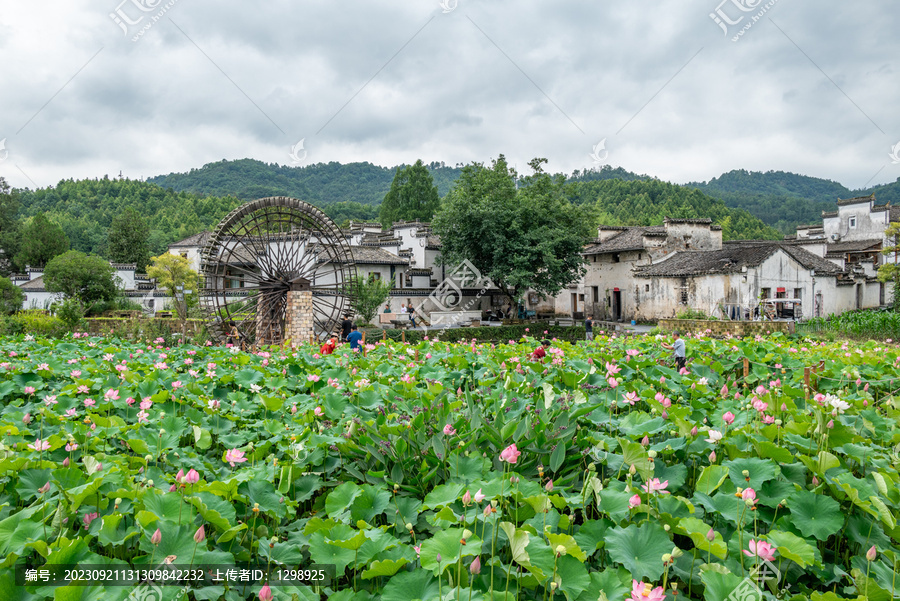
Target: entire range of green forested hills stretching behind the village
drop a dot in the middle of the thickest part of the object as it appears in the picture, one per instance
(747, 204)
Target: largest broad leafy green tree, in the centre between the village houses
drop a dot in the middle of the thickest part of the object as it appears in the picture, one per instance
(525, 238)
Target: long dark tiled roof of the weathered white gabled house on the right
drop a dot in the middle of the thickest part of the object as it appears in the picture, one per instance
(731, 259)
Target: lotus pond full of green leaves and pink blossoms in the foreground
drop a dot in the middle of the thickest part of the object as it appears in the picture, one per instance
(457, 471)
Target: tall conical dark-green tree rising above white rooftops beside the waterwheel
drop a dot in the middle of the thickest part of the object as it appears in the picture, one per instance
(413, 195)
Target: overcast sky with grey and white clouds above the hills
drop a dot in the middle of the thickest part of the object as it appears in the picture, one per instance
(149, 87)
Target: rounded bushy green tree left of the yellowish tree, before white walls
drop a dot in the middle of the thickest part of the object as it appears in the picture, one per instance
(86, 278)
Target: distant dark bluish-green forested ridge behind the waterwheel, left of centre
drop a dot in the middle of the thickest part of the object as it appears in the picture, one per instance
(321, 184)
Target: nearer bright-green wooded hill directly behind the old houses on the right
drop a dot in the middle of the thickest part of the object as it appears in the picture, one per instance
(648, 202)
